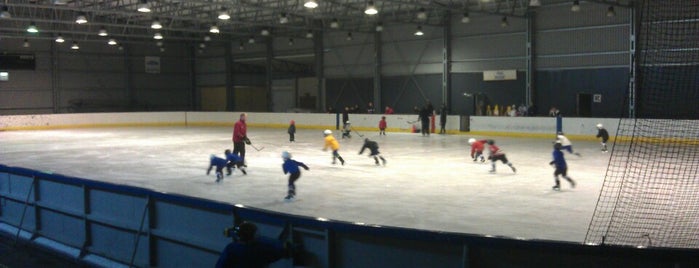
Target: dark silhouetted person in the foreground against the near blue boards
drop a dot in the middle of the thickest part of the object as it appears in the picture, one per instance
(250, 251)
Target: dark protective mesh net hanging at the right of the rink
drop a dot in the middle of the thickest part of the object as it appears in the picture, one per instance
(650, 195)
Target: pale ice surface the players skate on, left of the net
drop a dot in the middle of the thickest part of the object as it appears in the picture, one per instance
(428, 183)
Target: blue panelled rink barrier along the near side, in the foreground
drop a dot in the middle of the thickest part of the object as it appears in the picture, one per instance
(113, 225)
